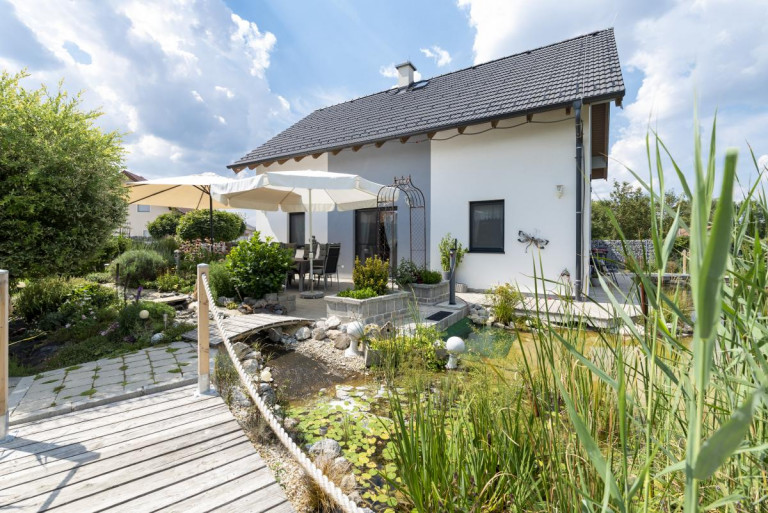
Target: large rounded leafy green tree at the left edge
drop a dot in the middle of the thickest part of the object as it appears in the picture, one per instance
(61, 192)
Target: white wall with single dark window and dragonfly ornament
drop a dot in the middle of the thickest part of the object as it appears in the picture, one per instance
(523, 166)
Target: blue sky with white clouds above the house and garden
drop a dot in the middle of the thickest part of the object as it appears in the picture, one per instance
(194, 85)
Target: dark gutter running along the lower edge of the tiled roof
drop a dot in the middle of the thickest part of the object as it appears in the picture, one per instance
(476, 121)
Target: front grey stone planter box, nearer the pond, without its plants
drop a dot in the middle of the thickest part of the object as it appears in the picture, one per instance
(373, 310)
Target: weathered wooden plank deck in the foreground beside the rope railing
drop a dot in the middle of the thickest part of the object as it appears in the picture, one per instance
(171, 451)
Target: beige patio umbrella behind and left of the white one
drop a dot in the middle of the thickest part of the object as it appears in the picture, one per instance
(188, 191)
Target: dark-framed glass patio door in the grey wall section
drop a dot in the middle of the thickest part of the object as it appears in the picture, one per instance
(376, 233)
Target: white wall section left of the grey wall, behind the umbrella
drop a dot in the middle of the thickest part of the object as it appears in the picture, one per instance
(275, 224)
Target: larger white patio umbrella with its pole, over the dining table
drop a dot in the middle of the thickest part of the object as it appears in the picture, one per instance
(302, 191)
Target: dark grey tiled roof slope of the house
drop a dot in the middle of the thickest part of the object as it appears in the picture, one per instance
(585, 67)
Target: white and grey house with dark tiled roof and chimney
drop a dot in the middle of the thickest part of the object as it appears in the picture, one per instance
(499, 148)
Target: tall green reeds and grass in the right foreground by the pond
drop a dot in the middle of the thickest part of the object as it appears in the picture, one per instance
(645, 419)
